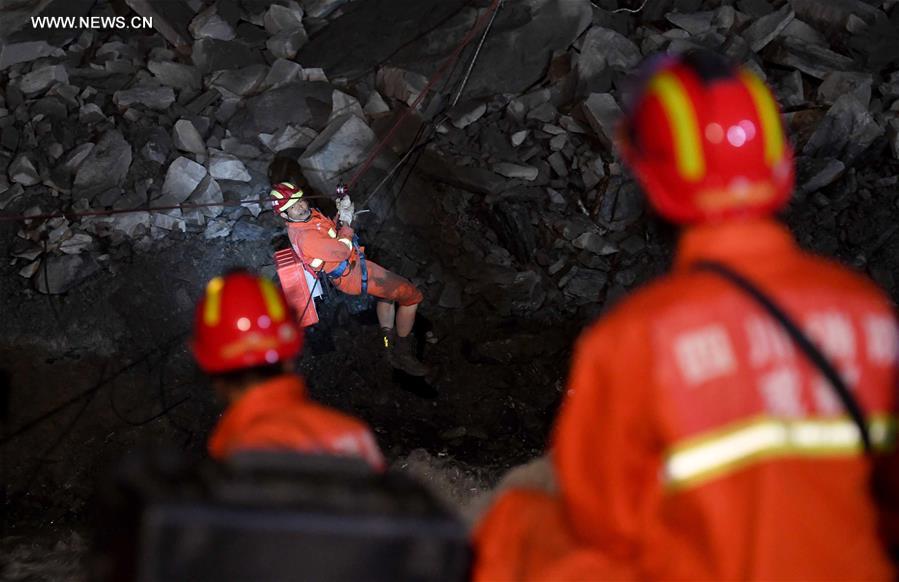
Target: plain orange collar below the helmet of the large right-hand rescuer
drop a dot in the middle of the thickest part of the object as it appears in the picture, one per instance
(733, 242)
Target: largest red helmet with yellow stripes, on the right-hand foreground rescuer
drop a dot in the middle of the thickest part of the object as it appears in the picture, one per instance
(706, 141)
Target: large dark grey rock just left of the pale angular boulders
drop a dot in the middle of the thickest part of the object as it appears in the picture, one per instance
(105, 167)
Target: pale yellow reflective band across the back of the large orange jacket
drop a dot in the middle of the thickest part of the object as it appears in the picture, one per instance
(726, 451)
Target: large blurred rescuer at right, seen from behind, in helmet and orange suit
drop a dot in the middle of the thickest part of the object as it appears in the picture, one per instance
(696, 441)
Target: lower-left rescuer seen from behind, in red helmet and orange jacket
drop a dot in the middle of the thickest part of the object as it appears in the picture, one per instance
(245, 339)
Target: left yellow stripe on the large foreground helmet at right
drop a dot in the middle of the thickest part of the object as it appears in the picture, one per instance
(684, 125)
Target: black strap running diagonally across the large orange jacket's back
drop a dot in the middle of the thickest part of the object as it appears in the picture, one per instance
(805, 344)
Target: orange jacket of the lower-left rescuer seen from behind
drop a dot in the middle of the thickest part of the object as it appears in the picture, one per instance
(276, 415)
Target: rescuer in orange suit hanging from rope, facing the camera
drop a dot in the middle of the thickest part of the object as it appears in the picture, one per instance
(323, 246)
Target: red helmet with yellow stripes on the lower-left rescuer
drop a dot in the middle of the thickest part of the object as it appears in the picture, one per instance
(241, 322)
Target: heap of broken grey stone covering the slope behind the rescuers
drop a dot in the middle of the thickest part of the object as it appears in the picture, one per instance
(195, 112)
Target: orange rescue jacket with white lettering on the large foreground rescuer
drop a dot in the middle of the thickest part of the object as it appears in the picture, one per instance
(697, 443)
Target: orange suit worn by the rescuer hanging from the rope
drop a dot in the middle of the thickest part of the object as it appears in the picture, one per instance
(322, 245)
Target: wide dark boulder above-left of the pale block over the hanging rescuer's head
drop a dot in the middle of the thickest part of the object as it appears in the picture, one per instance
(300, 103)
